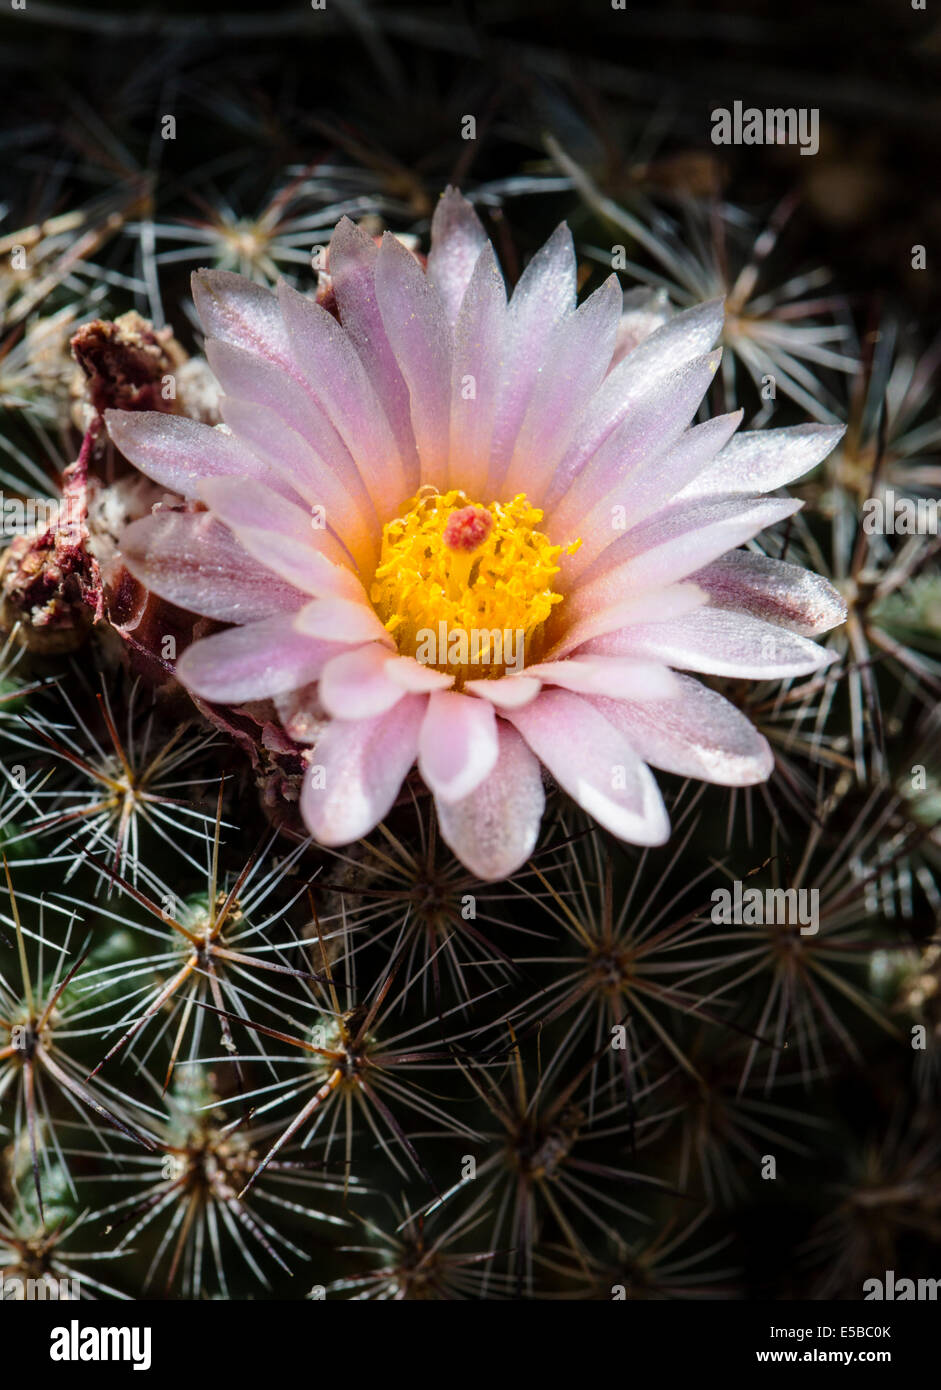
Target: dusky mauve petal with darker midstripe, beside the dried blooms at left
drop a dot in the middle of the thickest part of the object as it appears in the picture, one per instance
(195, 562)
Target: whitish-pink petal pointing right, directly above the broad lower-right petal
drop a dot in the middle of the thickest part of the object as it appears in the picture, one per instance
(719, 643)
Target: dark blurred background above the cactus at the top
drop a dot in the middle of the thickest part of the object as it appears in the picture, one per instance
(629, 94)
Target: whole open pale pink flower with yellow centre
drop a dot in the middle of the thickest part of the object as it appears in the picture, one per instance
(400, 494)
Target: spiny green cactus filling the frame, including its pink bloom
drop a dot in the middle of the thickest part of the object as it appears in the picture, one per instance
(333, 968)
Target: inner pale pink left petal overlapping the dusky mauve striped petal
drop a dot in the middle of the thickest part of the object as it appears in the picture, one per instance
(281, 536)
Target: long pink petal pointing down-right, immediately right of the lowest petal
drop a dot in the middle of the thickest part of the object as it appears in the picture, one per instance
(596, 764)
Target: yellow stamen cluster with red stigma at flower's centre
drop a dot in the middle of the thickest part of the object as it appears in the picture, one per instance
(468, 589)
